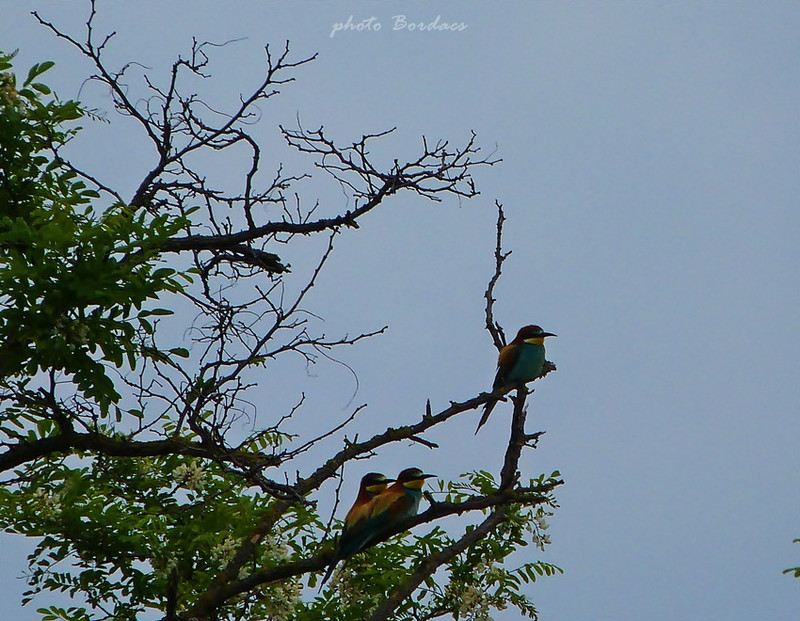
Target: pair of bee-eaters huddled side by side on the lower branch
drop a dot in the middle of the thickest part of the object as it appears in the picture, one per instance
(378, 508)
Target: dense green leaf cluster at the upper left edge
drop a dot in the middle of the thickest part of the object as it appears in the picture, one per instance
(72, 280)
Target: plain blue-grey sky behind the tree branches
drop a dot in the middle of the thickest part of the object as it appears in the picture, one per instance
(650, 178)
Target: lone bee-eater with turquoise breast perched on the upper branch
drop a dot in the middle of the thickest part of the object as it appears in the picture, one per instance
(519, 362)
